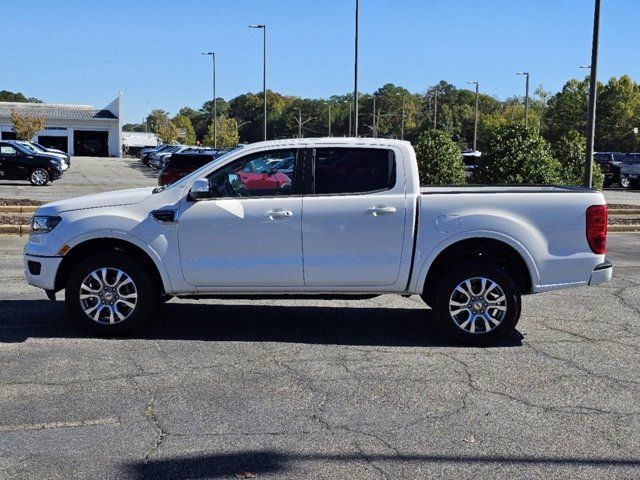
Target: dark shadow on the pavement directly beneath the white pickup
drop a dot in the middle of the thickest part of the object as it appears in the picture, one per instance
(397, 327)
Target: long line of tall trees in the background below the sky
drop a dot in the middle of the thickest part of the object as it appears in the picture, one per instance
(441, 107)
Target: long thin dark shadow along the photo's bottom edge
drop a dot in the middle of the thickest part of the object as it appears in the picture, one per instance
(247, 464)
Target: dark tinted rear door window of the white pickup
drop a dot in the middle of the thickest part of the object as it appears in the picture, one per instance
(353, 170)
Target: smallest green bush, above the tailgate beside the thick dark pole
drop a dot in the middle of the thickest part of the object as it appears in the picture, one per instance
(570, 151)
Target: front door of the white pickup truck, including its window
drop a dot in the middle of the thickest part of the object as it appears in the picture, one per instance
(249, 234)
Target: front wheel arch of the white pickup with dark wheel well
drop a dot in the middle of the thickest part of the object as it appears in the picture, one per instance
(91, 246)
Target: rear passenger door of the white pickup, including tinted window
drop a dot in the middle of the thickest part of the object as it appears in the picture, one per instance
(354, 217)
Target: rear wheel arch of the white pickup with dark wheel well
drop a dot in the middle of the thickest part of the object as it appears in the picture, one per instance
(498, 248)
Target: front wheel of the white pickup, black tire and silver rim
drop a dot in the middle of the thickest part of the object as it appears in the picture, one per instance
(143, 287)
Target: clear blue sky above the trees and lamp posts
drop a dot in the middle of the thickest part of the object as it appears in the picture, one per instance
(76, 51)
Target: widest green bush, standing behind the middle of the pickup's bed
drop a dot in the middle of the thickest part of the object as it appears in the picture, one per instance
(515, 153)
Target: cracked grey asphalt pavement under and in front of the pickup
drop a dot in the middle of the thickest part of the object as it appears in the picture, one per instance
(323, 389)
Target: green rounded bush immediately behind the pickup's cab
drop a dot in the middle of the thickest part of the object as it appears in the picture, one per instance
(439, 159)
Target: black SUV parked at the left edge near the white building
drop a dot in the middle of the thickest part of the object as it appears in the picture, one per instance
(21, 162)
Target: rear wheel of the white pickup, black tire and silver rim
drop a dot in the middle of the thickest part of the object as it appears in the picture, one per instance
(453, 325)
